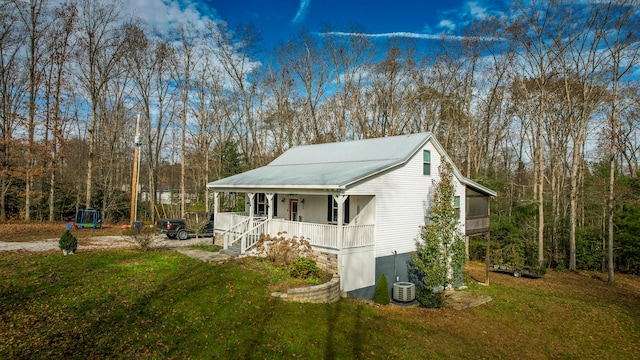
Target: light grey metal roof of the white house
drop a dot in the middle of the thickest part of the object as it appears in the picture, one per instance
(332, 166)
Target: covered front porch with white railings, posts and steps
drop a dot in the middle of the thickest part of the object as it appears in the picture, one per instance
(333, 224)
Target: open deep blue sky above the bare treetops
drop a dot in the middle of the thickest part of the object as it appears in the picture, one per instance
(279, 19)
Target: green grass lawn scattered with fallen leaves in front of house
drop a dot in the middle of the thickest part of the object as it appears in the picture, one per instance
(161, 304)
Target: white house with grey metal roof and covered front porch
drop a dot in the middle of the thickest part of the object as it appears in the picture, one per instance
(361, 203)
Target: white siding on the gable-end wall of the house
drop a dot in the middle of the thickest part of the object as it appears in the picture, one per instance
(401, 197)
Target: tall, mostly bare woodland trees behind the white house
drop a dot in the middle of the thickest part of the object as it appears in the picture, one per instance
(540, 104)
